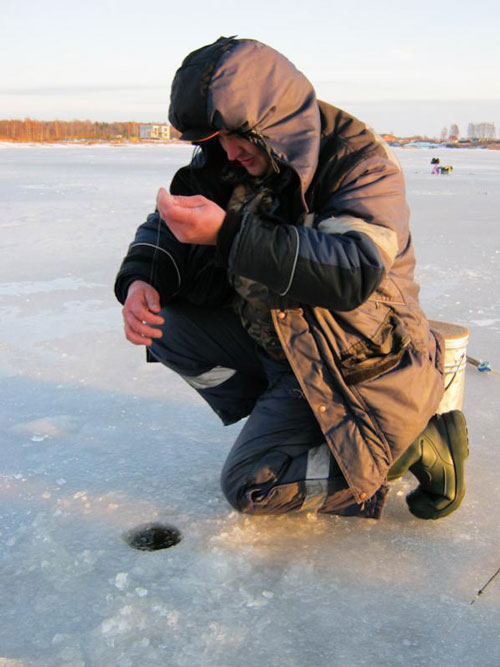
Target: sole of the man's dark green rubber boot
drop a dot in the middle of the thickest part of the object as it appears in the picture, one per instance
(459, 448)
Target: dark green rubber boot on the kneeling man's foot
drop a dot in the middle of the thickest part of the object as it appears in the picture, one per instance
(436, 458)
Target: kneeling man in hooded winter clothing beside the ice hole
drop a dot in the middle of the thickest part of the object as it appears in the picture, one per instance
(276, 278)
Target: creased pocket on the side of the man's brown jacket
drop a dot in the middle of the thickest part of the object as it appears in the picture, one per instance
(370, 358)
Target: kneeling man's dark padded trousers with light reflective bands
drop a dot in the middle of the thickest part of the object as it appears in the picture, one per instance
(280, 461)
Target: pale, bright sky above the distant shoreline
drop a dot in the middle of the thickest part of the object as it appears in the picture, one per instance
(402, 67)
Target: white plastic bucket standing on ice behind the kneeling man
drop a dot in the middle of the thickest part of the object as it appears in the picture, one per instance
(456, 338)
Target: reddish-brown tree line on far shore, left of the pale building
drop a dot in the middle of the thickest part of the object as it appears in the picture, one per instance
(54, 130)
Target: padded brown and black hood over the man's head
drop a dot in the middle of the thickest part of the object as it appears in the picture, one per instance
(244, 86)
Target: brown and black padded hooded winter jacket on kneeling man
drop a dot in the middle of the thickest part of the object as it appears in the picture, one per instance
(327, 233)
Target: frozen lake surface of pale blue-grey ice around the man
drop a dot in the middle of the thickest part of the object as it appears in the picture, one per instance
(94, 441)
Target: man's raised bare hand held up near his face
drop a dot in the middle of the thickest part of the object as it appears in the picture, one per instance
(193, 219)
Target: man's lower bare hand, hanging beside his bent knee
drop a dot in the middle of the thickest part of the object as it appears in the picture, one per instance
(142, 302)
